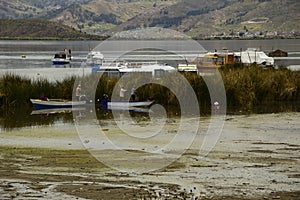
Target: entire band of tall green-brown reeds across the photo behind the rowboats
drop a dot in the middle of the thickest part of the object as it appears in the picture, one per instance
(246, 87)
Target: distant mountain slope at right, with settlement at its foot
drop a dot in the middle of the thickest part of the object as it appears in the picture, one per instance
(202, 17)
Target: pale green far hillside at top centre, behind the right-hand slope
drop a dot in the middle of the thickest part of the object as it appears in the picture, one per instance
(102, 16)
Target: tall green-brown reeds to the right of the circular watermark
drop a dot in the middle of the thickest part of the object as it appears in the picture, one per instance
(249, 86)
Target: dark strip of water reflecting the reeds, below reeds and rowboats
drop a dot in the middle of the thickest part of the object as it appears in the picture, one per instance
(26, 116)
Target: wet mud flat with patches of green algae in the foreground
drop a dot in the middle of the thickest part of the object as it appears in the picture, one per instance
(256, 157)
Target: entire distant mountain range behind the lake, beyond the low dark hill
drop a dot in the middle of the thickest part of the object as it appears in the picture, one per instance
(193, 17)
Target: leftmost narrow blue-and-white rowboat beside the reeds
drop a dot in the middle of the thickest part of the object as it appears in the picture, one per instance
(56, 103)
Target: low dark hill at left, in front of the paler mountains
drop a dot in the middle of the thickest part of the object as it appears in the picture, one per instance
(38, 28)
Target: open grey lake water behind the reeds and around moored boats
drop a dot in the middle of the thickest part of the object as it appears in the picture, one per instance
(39, 53)
